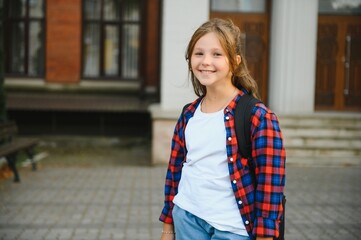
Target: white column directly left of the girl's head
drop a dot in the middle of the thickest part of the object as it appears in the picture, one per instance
(180, 19)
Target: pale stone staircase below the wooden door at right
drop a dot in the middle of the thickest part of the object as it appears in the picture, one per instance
(322, 139)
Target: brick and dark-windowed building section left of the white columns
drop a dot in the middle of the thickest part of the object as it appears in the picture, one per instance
(81, 66)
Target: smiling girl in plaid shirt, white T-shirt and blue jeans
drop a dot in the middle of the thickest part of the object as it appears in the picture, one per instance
(208, 189)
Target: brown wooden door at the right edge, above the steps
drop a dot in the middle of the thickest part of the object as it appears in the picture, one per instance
(338, 69)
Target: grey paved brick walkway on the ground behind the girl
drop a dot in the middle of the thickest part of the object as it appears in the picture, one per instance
(80, 194)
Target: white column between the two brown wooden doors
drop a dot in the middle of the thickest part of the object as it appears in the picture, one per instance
(293, 56)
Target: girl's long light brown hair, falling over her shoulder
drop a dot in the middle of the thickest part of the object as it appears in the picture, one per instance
(230, 38)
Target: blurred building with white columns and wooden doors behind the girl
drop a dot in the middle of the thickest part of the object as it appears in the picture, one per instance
(99, 61)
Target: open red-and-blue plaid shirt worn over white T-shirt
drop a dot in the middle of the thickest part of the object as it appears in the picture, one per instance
(260, 208)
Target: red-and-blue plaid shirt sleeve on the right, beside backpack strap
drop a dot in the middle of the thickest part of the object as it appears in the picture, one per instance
(269, 154)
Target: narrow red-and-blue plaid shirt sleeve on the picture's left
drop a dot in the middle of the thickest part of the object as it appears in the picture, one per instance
(173, 172)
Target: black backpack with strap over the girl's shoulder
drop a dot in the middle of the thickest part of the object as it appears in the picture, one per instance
(242, 123)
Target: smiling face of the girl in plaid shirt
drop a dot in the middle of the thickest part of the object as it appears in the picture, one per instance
(209, 62)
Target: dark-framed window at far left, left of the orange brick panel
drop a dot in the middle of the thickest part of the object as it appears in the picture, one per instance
(24, 38)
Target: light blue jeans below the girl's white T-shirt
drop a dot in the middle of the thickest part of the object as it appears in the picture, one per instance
(187, 226)
